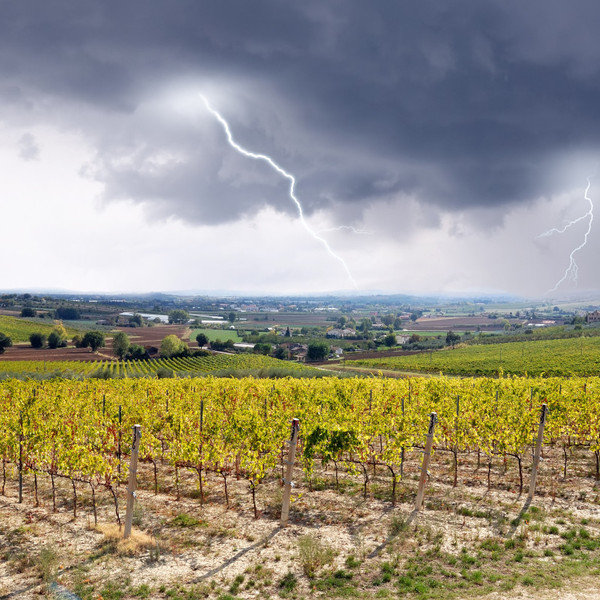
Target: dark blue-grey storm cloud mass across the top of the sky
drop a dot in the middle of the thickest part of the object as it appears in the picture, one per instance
(459, 104)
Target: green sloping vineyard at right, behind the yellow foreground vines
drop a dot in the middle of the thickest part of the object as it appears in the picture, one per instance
(564, 357)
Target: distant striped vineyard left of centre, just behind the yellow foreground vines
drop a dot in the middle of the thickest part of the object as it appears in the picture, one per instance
(183, 366)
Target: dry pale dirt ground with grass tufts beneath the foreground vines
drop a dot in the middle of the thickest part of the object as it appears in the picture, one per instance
(467, 541)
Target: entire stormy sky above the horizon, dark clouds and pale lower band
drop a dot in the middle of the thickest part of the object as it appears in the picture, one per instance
(431, 144)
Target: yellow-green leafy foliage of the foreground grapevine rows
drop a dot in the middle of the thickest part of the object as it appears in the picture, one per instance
(75, 429)
